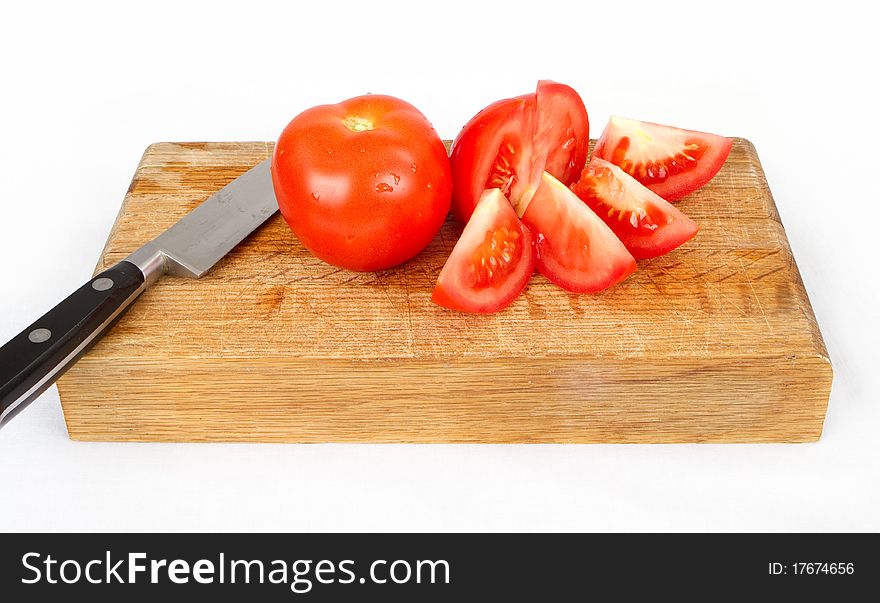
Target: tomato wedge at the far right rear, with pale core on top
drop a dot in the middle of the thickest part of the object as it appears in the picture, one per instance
(670, 161)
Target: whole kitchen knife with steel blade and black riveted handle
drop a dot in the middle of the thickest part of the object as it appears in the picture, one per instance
(39, 355)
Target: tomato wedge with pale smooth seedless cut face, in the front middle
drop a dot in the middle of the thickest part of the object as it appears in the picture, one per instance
(575, 248)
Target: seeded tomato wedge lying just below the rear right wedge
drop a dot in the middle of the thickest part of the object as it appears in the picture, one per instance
(645, 223)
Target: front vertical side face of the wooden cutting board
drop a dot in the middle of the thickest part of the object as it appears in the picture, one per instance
(547, 401)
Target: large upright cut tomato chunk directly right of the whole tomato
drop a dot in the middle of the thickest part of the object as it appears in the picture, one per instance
(511, 142)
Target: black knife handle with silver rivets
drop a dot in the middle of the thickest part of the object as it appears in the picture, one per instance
(36, 357)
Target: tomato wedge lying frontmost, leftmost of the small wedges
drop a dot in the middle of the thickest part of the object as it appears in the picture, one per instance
(491, 262)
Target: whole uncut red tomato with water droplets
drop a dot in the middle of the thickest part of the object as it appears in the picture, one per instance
(364, 184)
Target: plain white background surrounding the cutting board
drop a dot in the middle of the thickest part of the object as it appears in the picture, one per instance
(85, 88)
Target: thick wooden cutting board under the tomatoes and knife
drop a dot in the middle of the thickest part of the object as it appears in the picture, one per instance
(714, 342)
